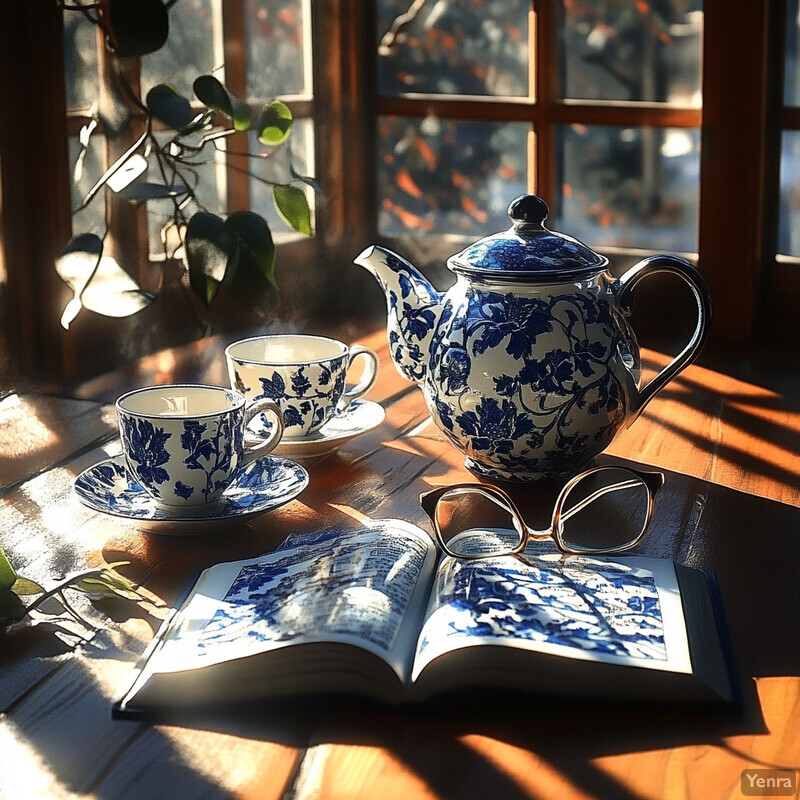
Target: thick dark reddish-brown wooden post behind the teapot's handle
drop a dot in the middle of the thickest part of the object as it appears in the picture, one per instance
(732, 162)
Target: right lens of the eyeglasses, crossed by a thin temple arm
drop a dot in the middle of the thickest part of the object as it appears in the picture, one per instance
(604, 510)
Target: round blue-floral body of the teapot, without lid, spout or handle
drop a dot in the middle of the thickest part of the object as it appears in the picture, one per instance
(528, 387)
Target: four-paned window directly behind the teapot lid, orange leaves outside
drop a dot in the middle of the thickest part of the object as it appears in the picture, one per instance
(594, 106)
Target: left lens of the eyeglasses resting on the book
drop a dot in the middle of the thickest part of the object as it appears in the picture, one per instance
(470, 524)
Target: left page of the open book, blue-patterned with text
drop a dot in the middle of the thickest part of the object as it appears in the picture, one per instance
(341, 585)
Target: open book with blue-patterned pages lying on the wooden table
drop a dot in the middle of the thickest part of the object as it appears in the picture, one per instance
(375, 611)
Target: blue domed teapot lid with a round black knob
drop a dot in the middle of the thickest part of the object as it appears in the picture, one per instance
(528, 250)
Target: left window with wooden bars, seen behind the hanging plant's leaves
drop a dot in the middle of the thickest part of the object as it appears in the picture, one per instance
(258, 50)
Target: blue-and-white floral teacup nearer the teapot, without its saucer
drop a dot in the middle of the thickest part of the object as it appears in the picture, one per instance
(305, 375)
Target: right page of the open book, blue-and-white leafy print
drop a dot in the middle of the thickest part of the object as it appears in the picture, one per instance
(622, 610)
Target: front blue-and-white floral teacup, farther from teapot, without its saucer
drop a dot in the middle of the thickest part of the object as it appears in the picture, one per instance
(185, 443)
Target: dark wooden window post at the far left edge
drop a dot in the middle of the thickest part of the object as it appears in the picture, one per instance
(35, 199)
